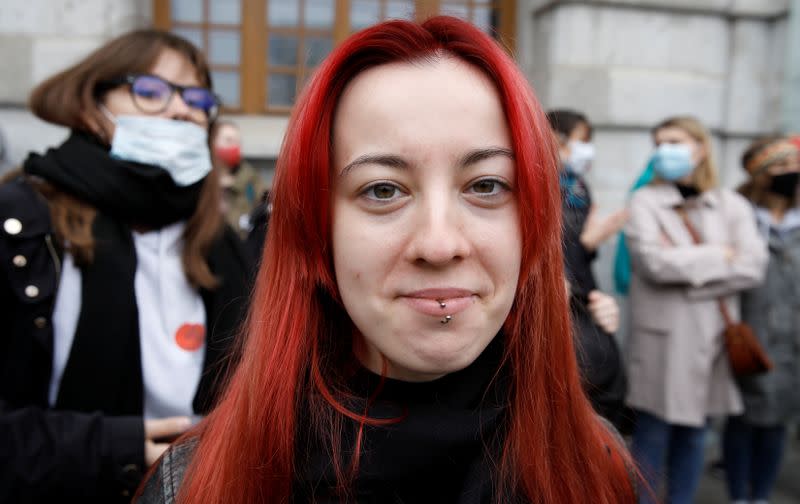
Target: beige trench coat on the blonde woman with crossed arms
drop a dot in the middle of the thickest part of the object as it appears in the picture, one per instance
(677, 366)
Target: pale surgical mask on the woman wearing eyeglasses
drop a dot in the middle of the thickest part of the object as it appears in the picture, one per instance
(179, 147)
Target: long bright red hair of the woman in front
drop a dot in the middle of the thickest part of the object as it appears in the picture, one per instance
(555, 449)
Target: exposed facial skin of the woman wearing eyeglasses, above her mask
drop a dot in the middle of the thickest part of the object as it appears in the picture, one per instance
(173, 67)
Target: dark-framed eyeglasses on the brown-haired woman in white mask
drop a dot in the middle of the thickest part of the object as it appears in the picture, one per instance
(152, 94)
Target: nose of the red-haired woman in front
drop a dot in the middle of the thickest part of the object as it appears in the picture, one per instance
(439, 235)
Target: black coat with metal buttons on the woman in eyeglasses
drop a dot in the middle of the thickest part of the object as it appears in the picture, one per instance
(48, 454)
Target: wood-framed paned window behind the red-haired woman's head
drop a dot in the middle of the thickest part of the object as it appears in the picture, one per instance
(261, 52)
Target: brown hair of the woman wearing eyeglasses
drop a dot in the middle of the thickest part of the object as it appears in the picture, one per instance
(70, 98)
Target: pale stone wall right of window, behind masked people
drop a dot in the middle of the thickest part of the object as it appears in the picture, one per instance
(630, 63)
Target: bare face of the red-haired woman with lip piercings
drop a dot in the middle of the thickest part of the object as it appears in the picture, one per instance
(425, 223)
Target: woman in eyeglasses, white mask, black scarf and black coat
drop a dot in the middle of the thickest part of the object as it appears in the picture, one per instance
(121, 289)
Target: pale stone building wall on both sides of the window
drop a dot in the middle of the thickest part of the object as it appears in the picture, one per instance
(626, 63)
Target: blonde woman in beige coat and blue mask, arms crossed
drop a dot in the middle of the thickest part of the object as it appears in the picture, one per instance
(678, 369)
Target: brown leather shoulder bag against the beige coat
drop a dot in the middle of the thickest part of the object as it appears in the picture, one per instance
(744, 350)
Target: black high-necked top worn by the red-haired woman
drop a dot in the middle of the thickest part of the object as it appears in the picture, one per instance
(435, 452)
